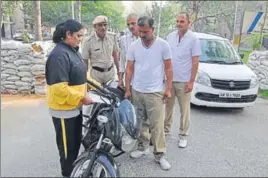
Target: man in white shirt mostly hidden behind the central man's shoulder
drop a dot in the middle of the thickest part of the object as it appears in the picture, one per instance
(125, 42)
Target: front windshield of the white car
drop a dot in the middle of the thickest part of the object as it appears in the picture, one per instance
(218, 51)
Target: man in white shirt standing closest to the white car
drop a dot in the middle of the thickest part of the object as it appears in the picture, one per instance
(186, 50)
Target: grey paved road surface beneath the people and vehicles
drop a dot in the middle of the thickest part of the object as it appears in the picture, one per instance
(222, 143)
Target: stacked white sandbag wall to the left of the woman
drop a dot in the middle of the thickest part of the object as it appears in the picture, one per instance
(22, 69)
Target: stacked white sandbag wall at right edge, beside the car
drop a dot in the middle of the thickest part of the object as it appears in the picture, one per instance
(258, 62)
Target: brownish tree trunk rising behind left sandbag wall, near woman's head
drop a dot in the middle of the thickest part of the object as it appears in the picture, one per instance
(38, 31)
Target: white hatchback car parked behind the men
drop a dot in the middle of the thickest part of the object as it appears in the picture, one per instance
(223, 80)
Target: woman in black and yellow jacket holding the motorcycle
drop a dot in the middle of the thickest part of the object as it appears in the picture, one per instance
(66, 76)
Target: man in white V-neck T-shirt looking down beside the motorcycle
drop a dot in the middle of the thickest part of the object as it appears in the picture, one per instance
(149, 60)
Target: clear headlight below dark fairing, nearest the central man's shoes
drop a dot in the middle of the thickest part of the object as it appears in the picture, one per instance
(128, 143)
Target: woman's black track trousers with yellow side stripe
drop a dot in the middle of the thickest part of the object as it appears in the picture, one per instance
(68, 139)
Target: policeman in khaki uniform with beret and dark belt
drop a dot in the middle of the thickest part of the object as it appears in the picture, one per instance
(101, 52)
